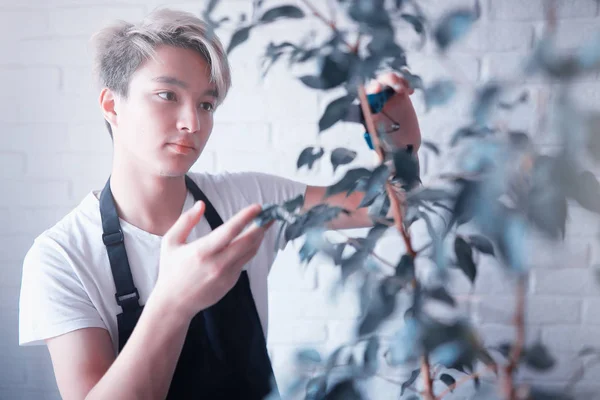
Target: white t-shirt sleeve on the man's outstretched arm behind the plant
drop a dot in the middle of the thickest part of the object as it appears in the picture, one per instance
(267, 189)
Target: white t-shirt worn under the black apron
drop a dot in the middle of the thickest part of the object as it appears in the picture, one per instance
(67, 282)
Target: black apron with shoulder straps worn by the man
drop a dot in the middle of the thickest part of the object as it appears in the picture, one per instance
(225, 354)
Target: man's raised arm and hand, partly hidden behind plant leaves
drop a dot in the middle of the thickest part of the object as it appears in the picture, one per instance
(400, 109)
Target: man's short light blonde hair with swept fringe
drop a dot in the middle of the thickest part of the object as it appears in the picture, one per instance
(119, 49)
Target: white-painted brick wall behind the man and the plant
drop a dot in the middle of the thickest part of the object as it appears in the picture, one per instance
(54, 149)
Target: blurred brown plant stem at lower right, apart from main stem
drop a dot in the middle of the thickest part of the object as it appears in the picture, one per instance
(515, 355)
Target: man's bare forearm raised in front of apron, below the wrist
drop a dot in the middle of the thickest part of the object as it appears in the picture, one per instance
(145, 367)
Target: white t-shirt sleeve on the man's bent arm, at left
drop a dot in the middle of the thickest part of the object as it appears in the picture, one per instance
(53, 300)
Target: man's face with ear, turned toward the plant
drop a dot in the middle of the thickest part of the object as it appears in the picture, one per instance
(167, 117)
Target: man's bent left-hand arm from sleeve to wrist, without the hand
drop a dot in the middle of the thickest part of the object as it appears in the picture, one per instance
(85, 366)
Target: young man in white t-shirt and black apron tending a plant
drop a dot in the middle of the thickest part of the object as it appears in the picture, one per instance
(146, 242)
